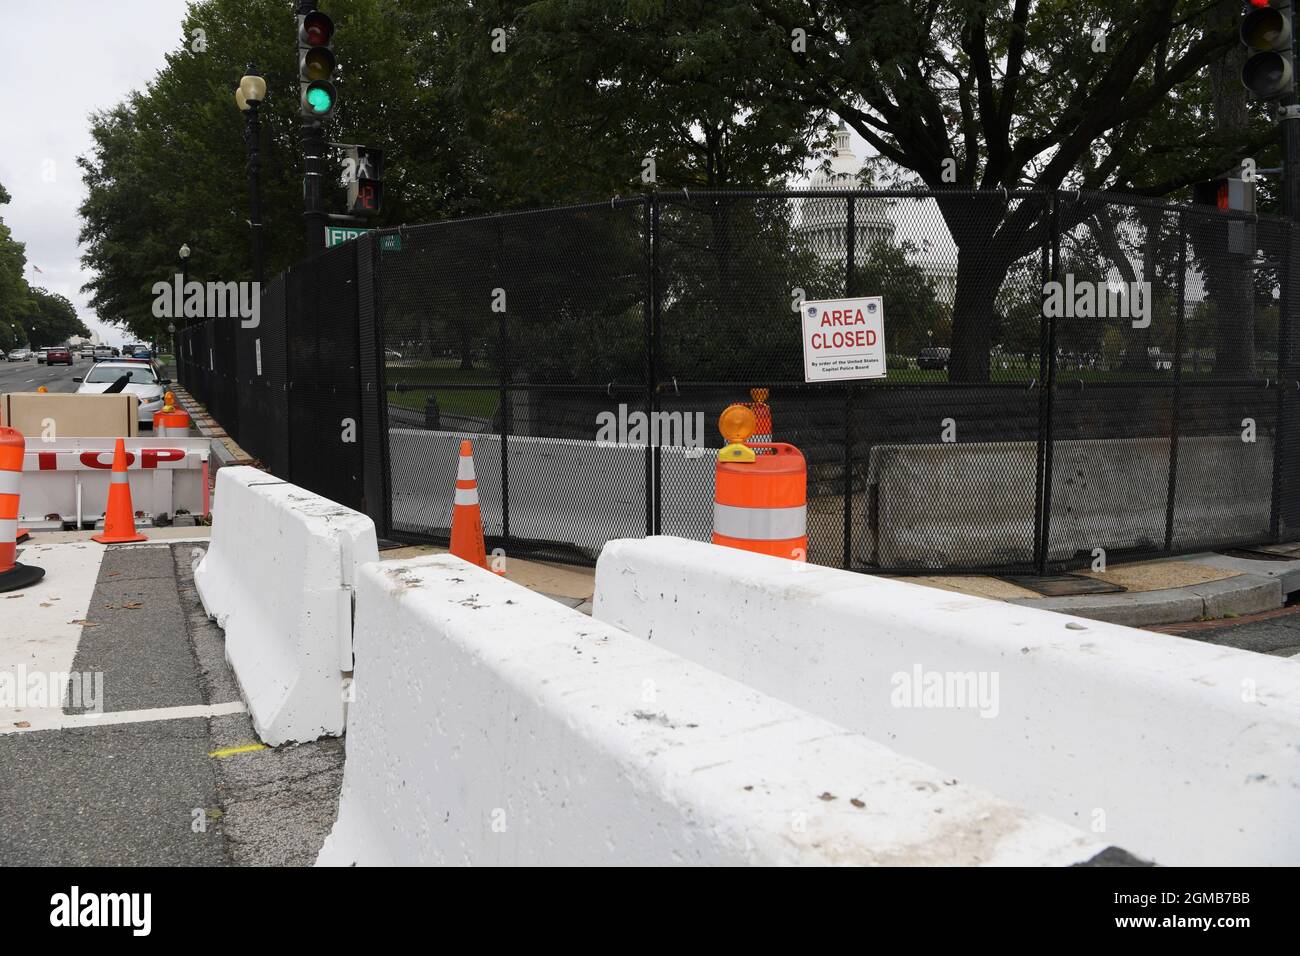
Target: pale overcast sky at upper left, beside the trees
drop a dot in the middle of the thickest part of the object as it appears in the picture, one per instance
(60, 60)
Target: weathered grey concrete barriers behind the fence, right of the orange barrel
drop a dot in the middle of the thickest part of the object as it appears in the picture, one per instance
(972, 504)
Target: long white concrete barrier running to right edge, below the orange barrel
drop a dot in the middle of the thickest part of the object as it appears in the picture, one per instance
(1178, 751)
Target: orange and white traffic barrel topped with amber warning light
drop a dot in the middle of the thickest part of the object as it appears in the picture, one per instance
(760, 503)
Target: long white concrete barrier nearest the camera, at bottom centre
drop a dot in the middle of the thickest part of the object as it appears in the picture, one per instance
(496, 726)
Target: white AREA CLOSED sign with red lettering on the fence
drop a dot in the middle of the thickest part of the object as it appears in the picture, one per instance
(844, 339)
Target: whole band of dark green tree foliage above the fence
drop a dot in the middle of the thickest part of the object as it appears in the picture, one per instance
(504, 105)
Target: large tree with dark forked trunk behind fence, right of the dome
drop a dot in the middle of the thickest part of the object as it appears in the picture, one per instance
(973, 94)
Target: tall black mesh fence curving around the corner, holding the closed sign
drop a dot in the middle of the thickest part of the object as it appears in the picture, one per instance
(1069, 375)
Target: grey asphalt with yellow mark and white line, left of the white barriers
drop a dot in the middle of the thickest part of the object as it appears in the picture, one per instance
(159, 793)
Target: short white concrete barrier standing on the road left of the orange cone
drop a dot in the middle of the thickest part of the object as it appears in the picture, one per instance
(279, 578)
